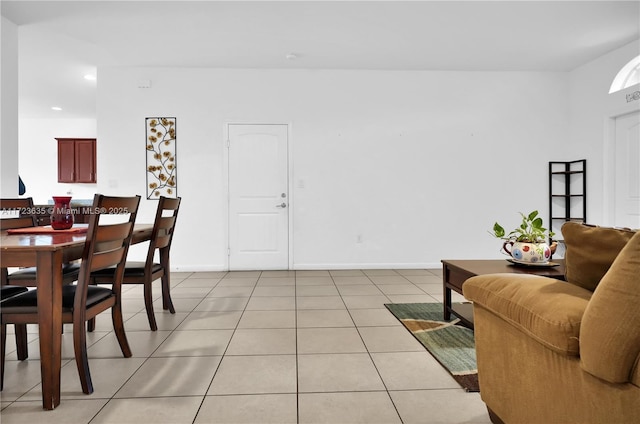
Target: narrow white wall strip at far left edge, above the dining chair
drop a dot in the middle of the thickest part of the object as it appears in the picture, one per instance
(9, 109)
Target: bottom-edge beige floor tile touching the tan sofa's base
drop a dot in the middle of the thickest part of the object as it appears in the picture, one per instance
(451, 406)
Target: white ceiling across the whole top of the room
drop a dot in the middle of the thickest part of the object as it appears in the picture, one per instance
(61, 41)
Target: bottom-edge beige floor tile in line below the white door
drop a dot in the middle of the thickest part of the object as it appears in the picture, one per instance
(249, 409)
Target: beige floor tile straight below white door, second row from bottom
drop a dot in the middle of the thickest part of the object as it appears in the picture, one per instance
(255, 375)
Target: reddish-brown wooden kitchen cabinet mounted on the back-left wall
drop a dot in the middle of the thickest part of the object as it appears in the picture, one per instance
(76, 160)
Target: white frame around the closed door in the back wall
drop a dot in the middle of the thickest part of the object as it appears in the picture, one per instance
(227, 197)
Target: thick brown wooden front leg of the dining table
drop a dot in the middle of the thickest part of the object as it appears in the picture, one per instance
(49, 280)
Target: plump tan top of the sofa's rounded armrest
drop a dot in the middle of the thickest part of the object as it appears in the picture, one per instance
(548, 310)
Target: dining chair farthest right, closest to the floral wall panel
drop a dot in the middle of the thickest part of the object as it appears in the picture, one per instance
(149, 271)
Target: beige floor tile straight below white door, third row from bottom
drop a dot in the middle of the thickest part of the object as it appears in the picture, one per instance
(270, 341)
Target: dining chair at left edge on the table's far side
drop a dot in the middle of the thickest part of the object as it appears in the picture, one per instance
(25, 216)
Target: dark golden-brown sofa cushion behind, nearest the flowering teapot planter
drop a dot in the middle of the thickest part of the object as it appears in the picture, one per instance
(590, 251)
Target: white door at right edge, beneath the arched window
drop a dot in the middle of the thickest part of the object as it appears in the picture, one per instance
(627, 171)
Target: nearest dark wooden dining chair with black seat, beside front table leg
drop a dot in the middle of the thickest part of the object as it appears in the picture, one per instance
(107, 244)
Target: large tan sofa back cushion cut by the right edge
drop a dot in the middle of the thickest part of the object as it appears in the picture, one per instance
(610, 334)
